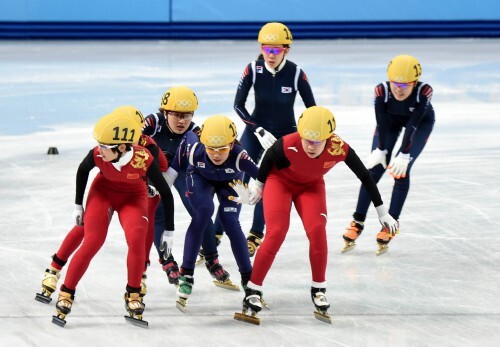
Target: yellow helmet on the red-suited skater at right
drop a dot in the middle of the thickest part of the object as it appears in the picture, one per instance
(316, 124)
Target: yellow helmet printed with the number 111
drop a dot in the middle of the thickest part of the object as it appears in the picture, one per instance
(116, 128)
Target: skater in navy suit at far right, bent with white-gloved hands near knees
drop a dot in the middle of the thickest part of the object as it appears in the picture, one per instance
(401, 102)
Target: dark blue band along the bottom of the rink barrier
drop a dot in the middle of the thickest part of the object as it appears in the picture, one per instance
(247, 30)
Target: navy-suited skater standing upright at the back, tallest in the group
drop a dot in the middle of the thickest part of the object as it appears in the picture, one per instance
(276, 82)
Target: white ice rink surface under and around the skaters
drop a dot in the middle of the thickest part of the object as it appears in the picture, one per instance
(437, 286)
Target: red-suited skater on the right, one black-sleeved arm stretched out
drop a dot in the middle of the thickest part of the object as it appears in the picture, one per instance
(292, 172)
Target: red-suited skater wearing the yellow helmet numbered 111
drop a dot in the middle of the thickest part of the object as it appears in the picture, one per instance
(119, 187)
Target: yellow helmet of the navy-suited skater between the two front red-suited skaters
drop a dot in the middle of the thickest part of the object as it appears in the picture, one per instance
(218, 131)
